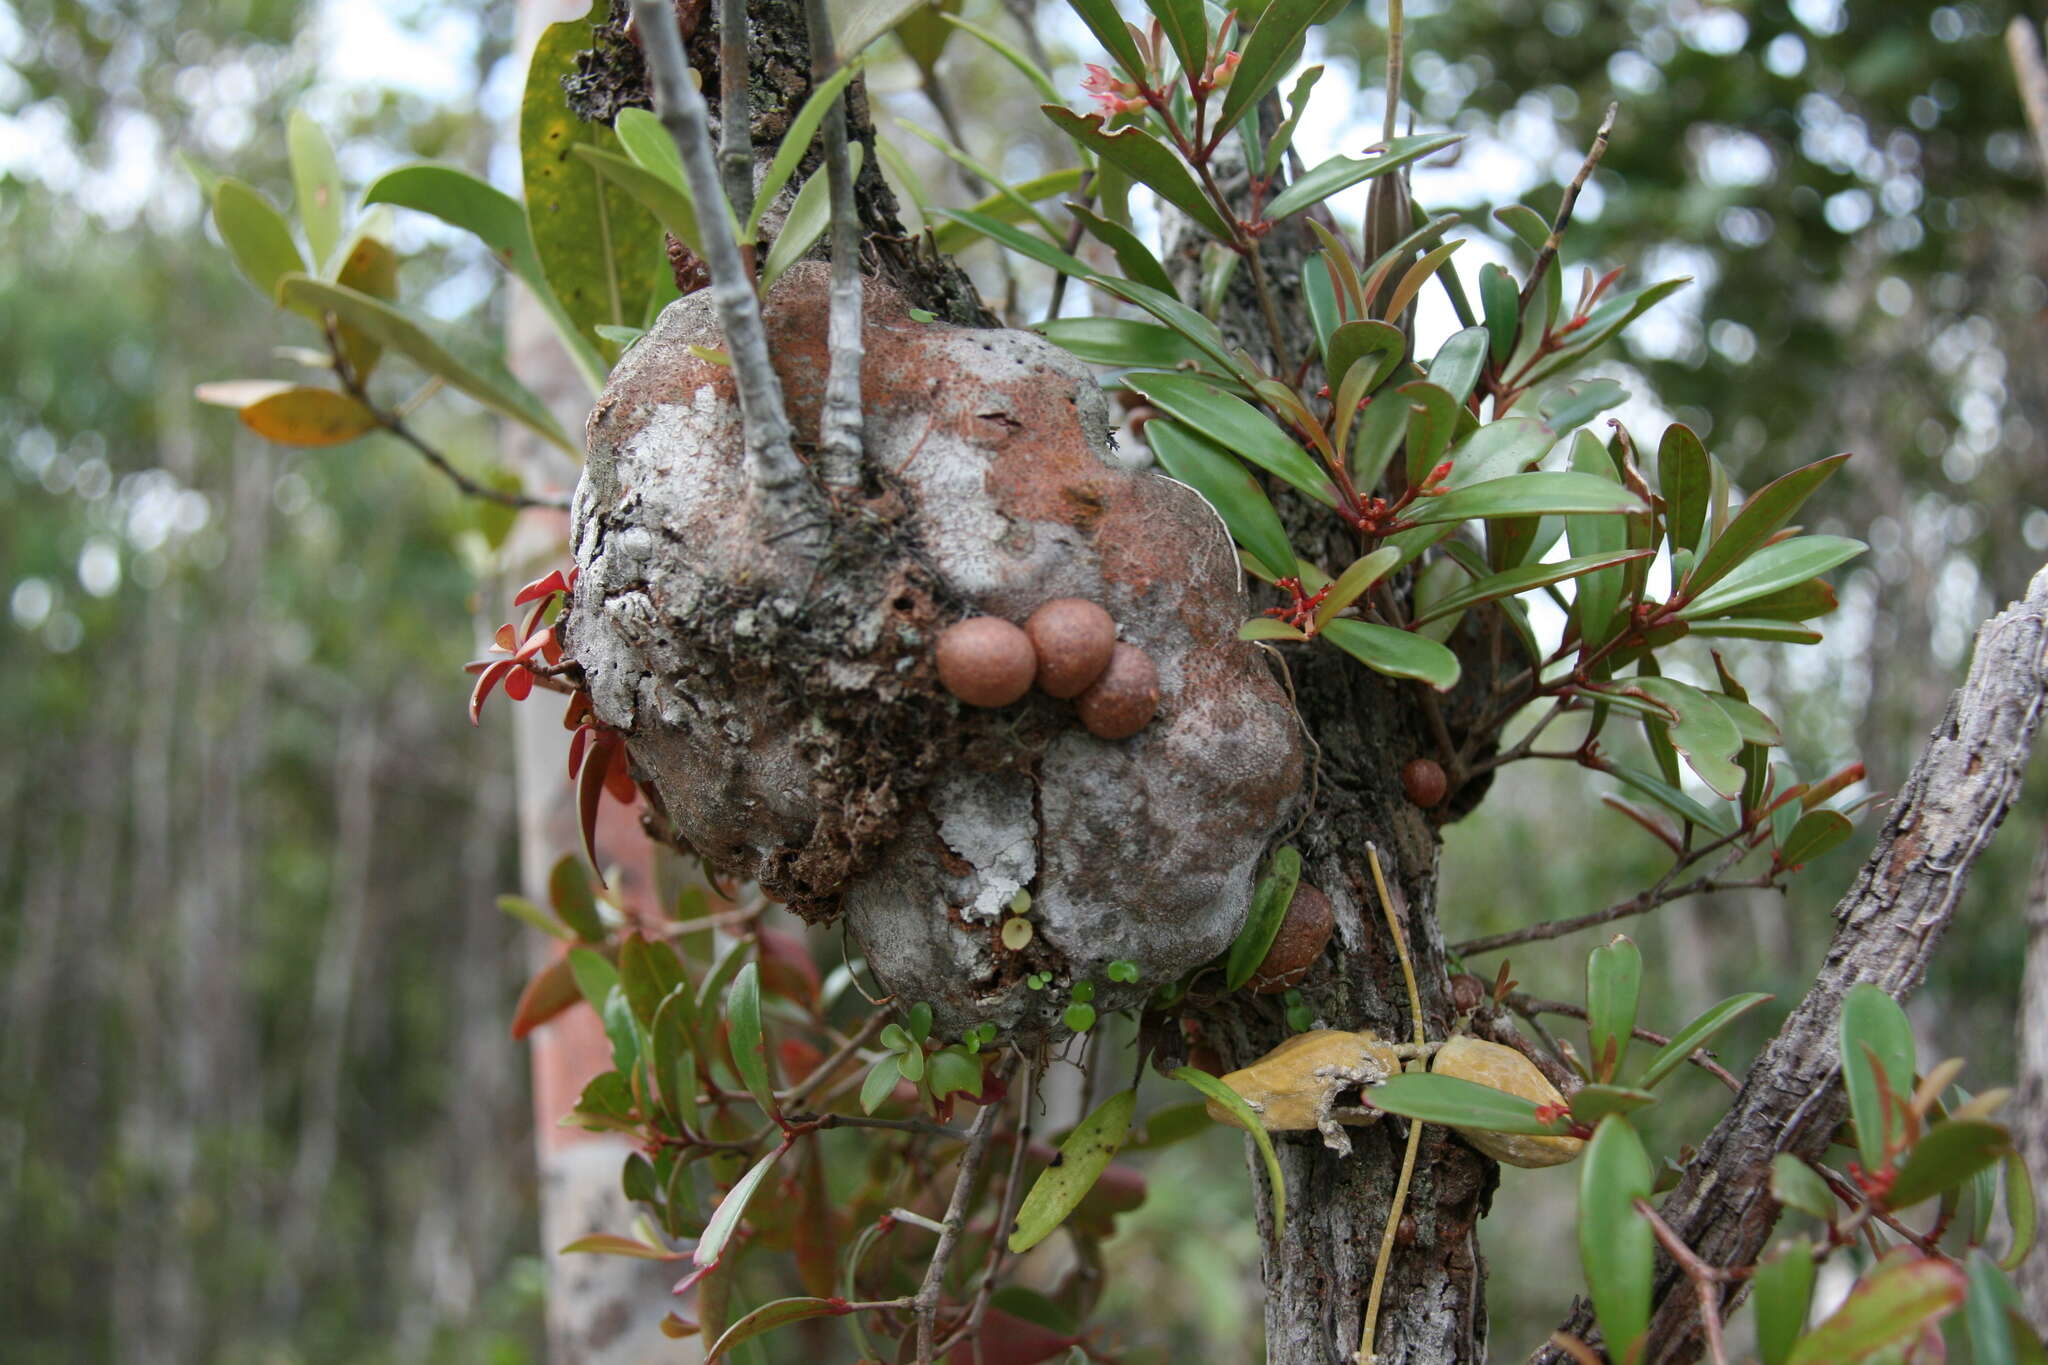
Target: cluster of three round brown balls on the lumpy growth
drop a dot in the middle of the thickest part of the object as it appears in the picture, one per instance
(1070, 650)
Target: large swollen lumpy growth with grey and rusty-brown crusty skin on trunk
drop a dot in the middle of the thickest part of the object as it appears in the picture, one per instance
(787, 709)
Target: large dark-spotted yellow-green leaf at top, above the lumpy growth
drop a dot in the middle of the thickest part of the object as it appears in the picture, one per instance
(601, 253)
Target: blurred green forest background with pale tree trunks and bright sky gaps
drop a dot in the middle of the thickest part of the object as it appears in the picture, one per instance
(257, 1096)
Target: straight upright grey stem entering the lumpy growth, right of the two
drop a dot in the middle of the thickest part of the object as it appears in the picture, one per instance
(839, 425)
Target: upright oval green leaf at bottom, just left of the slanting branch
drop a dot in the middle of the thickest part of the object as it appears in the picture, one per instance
(1617, 1245)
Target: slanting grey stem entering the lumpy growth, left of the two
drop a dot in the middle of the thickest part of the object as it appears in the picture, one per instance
(779, 476)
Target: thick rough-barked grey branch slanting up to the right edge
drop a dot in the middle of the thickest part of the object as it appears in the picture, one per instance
(1889, 926)
